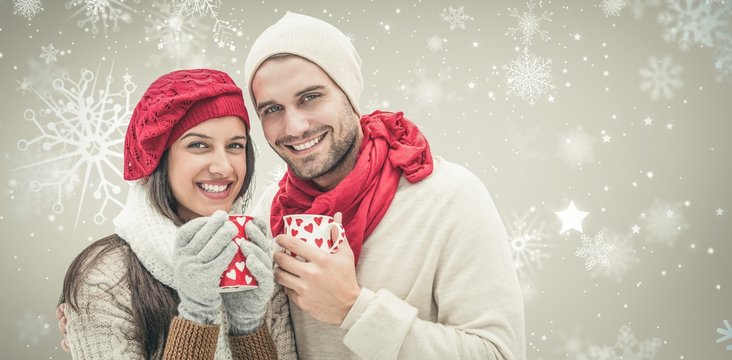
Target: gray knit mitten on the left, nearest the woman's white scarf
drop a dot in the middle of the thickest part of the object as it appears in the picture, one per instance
(203, 251)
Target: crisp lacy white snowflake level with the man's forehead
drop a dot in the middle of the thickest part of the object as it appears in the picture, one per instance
(427, 91)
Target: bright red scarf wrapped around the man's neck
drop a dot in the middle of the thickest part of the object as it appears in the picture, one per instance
(391, 145)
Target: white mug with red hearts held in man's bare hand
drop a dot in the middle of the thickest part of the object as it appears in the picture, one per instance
(314, 230)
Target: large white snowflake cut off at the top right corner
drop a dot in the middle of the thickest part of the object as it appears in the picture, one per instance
(691, 22)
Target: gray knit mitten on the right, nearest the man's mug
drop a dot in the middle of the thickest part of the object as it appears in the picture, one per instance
(246, 308)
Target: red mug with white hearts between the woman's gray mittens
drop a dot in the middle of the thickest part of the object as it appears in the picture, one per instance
(237, 276)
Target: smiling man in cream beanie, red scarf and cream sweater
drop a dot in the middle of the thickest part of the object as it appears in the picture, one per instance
(428, 273)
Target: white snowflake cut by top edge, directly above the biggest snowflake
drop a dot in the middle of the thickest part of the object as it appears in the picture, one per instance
(108, 12)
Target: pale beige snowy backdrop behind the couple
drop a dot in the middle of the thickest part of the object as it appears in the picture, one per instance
(659, 163)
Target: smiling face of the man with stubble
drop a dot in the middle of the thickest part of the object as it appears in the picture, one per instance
(306, 118)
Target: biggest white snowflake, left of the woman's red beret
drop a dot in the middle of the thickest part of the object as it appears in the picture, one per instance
(86, 124)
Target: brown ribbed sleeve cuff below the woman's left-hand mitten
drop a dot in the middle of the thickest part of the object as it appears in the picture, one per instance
(190, 340)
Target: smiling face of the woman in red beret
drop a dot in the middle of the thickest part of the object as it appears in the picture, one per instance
(206, 166)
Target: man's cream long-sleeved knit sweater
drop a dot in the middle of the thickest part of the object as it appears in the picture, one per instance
(437, 280)
